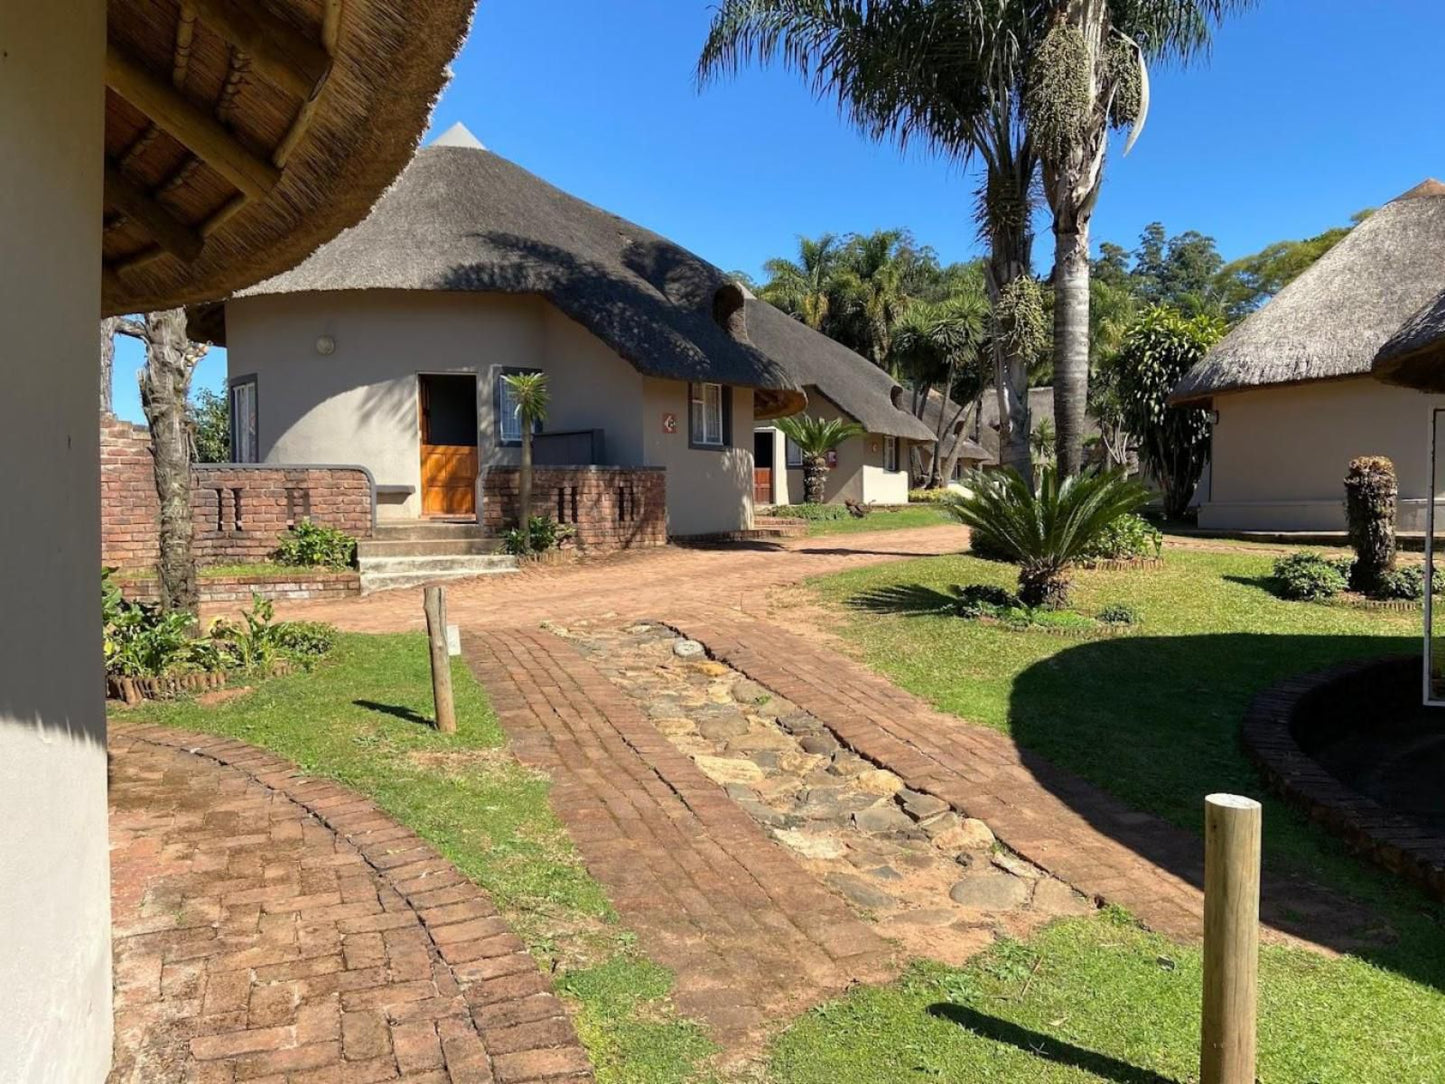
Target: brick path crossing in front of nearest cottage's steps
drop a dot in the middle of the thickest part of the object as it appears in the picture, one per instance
(641, 585)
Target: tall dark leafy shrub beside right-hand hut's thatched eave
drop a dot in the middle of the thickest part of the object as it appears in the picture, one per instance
(1174, 442)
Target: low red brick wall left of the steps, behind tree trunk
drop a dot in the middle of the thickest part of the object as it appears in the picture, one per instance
(241, 512)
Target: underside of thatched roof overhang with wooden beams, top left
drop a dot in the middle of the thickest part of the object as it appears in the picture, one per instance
(241, 137)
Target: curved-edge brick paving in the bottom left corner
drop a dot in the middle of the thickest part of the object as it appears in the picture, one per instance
(271, 927)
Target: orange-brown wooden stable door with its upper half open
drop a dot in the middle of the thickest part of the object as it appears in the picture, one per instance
(449, 414)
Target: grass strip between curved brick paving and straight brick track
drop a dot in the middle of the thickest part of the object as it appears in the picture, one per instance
(362, 719)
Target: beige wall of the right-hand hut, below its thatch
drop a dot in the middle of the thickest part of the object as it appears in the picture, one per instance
(1280, 455)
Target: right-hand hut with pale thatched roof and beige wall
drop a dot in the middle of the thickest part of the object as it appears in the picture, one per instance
(1291, 387)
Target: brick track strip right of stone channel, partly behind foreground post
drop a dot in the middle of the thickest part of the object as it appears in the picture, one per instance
(1051, 817)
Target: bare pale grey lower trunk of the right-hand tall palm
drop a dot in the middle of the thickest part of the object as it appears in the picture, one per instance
(1071, 278)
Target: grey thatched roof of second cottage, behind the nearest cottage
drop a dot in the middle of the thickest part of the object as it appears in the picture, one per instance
(849, 381)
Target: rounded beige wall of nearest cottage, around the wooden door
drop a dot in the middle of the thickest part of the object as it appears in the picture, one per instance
(361, 404)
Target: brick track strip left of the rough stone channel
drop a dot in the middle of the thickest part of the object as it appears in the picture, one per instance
(752, 936)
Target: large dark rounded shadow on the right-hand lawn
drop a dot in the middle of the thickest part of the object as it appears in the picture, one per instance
(1116, 726)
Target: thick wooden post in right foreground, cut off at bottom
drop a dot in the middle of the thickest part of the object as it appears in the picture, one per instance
(1232, 929)
